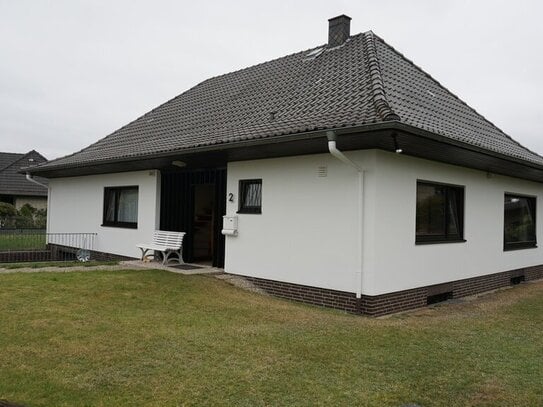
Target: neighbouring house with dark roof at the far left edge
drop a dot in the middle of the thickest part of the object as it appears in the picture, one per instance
(14, 187)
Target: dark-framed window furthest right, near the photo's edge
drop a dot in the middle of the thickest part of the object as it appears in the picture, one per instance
(519, 222)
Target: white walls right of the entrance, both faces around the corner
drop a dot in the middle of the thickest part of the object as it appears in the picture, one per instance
(307, 232)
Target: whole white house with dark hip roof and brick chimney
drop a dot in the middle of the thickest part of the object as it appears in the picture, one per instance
(428, 201)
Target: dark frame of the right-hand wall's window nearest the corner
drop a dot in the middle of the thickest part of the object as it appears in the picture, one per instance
(446, 236)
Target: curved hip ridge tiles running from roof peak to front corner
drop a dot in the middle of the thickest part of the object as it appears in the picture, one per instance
(380, 100)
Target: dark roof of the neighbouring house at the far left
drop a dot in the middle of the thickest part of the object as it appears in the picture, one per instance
(14, 183)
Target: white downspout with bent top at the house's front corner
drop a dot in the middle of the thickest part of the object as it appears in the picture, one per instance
(342, 157)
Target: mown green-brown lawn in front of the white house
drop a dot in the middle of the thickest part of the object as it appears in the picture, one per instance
(164, 339)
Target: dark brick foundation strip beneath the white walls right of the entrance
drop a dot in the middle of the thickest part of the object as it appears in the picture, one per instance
(392, 302)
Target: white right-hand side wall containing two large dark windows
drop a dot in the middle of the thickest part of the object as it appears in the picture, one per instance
(400, 264)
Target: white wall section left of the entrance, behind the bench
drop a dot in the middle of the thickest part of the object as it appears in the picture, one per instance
(76, 205)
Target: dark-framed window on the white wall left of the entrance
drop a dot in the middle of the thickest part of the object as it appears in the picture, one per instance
(121, 207)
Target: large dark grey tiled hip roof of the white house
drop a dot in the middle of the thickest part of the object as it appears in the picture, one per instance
(361, 82)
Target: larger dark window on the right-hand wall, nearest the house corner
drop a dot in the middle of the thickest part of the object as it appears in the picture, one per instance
(440, 213)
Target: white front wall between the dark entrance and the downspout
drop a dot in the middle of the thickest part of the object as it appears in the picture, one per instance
(307, 232)
